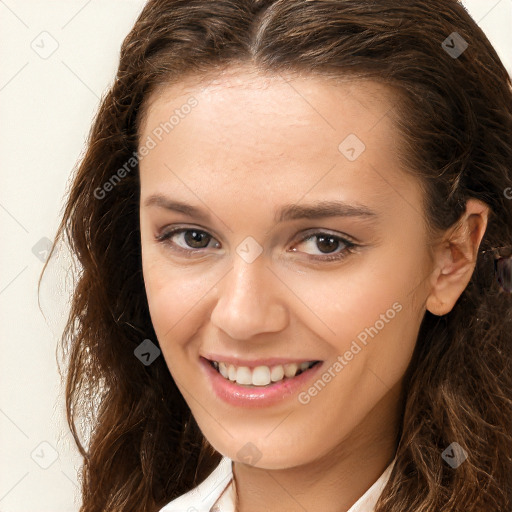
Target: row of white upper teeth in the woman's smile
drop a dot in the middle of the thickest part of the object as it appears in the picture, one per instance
(260, 375)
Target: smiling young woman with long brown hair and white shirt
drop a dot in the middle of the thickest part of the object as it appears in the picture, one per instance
(294, 221)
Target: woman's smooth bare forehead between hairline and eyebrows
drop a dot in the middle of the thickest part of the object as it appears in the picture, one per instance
(279, 134)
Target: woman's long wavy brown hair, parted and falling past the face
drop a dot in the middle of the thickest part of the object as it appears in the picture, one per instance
(454, 115)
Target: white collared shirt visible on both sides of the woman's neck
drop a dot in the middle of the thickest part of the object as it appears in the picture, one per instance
(217, 493)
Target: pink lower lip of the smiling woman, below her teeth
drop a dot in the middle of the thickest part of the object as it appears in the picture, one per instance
(263, 396)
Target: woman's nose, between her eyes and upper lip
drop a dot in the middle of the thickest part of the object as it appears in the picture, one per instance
(250, 301)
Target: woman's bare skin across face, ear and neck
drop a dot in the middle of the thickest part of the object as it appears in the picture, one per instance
(252, 144)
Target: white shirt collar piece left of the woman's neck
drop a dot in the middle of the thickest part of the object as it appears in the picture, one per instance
(202, 497)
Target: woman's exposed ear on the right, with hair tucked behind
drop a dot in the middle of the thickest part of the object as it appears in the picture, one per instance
(455, 258)
